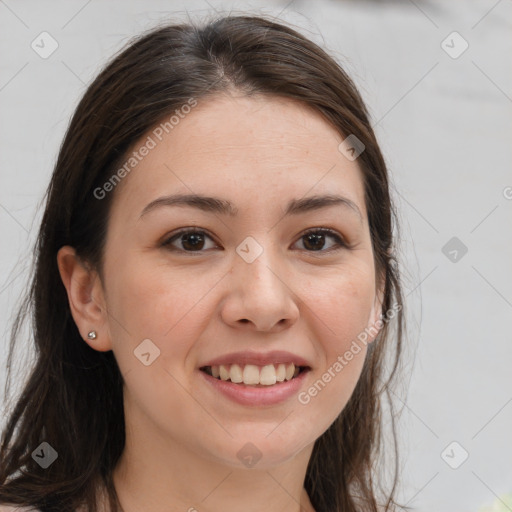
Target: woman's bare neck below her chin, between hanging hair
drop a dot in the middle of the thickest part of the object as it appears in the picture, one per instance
(157, 476)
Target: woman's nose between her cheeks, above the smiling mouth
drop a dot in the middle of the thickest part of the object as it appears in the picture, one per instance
(261, 295)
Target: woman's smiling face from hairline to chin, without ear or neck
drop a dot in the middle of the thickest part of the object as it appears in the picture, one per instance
(249, 289)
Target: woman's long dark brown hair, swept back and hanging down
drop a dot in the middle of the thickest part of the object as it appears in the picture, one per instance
(72, 398)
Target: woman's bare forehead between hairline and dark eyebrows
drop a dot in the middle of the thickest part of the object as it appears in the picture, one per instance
(253, 151)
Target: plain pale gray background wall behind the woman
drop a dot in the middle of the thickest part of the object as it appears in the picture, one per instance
(444, 125)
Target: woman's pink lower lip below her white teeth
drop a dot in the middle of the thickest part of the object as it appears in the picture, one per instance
(250, 395)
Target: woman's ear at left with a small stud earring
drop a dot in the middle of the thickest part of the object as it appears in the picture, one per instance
(86, 298)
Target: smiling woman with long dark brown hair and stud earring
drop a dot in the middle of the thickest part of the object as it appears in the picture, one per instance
(215, 287)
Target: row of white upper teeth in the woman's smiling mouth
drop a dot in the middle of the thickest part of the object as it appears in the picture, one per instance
(251, 374)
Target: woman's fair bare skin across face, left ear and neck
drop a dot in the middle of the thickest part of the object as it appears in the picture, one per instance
(182, 438)
